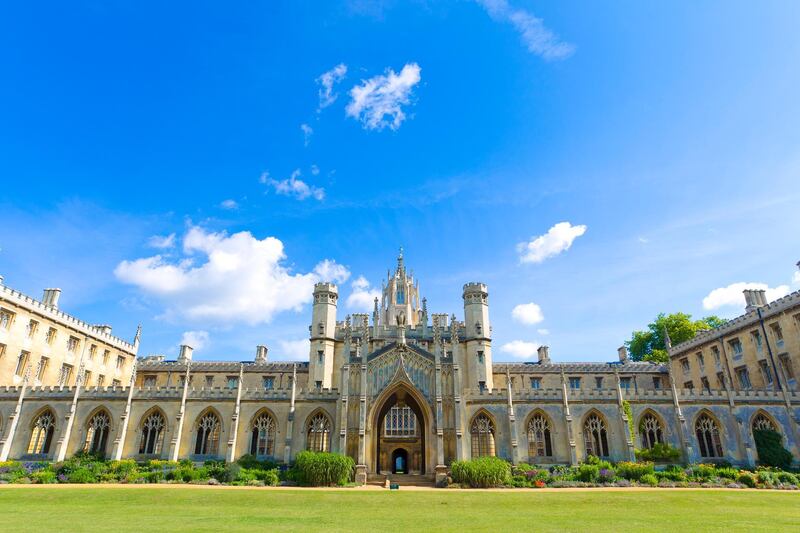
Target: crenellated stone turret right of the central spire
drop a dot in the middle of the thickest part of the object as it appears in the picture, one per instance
(478, 339)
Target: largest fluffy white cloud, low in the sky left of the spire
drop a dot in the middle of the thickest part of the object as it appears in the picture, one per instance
(224, 278)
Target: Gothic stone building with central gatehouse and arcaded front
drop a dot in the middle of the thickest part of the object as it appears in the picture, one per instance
(402, 391)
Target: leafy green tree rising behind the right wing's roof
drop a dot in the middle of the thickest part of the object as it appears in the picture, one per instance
(650, 345)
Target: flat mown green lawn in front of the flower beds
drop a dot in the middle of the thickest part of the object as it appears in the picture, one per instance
(180, 509)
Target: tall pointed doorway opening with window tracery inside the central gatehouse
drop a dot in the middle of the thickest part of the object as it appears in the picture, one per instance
(401, 435)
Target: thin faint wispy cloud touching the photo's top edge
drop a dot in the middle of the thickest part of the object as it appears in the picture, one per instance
(539, 39)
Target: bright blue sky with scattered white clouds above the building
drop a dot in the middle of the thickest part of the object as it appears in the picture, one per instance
(195, 167)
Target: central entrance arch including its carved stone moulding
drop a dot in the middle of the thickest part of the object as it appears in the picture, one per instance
(400, 427)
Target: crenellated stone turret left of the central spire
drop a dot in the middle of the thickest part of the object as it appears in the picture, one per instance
(322, 330)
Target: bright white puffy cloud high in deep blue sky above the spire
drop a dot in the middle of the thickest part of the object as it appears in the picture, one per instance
(378, 101)
